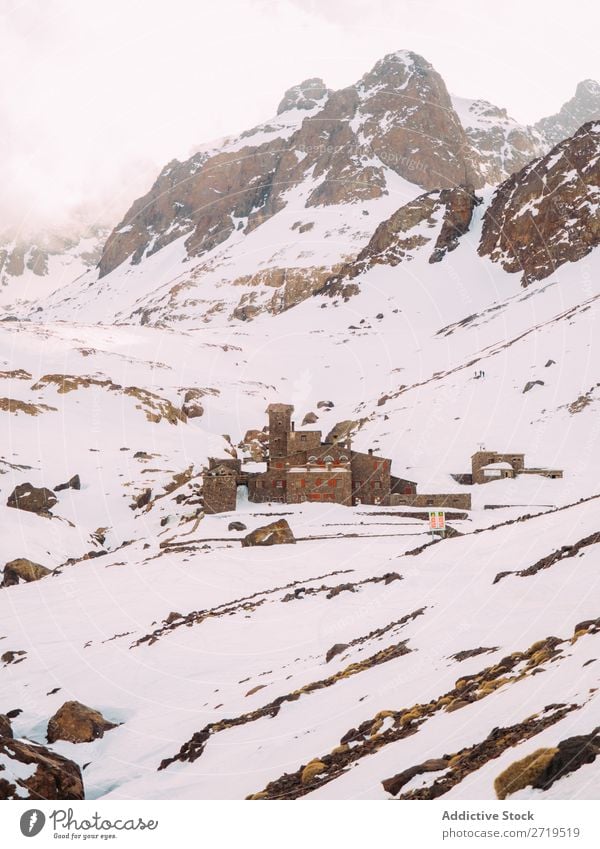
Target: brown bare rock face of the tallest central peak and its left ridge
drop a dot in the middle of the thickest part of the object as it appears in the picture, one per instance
(398, 116)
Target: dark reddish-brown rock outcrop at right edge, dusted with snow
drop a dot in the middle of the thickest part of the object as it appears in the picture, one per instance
(547, 213)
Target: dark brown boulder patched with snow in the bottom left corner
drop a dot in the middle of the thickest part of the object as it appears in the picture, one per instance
(30, 771)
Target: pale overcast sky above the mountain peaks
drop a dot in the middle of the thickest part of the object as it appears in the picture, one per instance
(95, 95)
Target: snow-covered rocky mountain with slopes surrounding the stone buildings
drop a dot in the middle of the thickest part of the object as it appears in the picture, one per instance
(353, 252)
